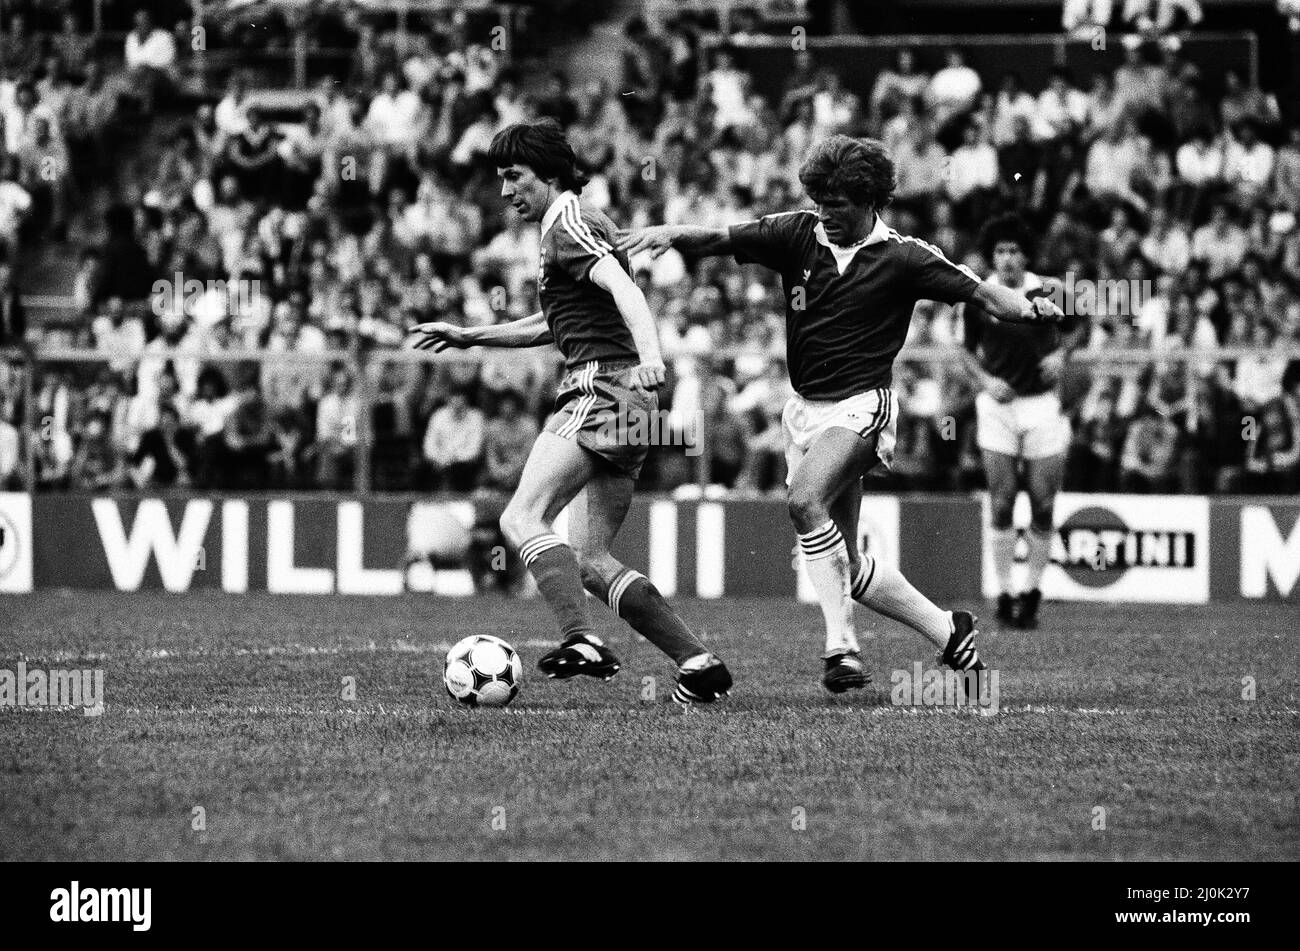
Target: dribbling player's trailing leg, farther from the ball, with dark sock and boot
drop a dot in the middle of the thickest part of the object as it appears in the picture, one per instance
(595, 522)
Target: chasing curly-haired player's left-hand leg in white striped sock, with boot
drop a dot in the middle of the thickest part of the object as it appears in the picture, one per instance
(833, 464)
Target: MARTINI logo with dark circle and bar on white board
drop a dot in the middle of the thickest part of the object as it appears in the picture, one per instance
(1095, 548)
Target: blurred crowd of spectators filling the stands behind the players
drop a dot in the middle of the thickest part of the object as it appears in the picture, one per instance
(318, 223)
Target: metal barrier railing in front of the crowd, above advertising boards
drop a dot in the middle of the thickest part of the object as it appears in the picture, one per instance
(23, 370)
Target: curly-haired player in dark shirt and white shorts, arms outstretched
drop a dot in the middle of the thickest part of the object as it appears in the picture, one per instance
(851, 285)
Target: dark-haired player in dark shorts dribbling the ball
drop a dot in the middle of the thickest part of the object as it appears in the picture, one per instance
(599, 319)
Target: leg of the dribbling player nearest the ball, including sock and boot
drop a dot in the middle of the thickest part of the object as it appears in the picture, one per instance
(556, 472)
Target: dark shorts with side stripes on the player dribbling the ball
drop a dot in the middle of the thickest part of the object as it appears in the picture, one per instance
(599, 407)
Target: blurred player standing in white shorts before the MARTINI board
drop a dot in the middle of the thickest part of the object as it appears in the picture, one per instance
(1022, 433)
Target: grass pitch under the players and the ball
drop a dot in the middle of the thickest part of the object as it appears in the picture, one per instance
(1134, 710)
